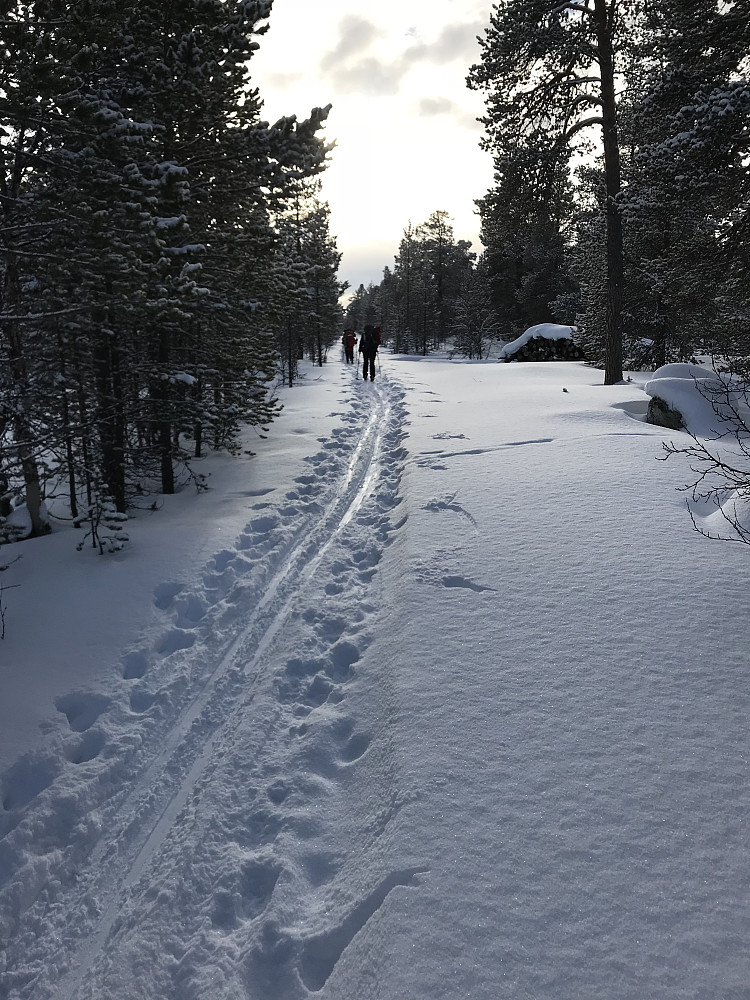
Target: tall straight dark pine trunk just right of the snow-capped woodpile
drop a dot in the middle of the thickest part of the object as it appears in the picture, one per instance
(615, 268)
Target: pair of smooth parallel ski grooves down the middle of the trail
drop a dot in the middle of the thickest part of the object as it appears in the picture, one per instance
(127, 854)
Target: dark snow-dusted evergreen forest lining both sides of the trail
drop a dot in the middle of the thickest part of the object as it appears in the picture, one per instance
(166, 256)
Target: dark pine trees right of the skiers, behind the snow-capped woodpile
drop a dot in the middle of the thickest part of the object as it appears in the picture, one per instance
(620, 137)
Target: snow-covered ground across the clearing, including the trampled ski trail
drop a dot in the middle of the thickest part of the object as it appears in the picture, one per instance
(439, 696)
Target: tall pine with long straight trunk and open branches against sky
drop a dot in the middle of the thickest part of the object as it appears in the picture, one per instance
(548, 71)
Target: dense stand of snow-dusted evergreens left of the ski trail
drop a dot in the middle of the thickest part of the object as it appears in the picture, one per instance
(162, 248)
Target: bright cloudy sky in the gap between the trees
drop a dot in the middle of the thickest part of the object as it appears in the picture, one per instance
(402, 117)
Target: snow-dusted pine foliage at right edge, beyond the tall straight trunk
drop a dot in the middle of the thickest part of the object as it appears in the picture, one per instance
(686, 200)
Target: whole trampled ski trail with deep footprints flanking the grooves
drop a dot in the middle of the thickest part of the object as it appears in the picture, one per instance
(248, 683)
